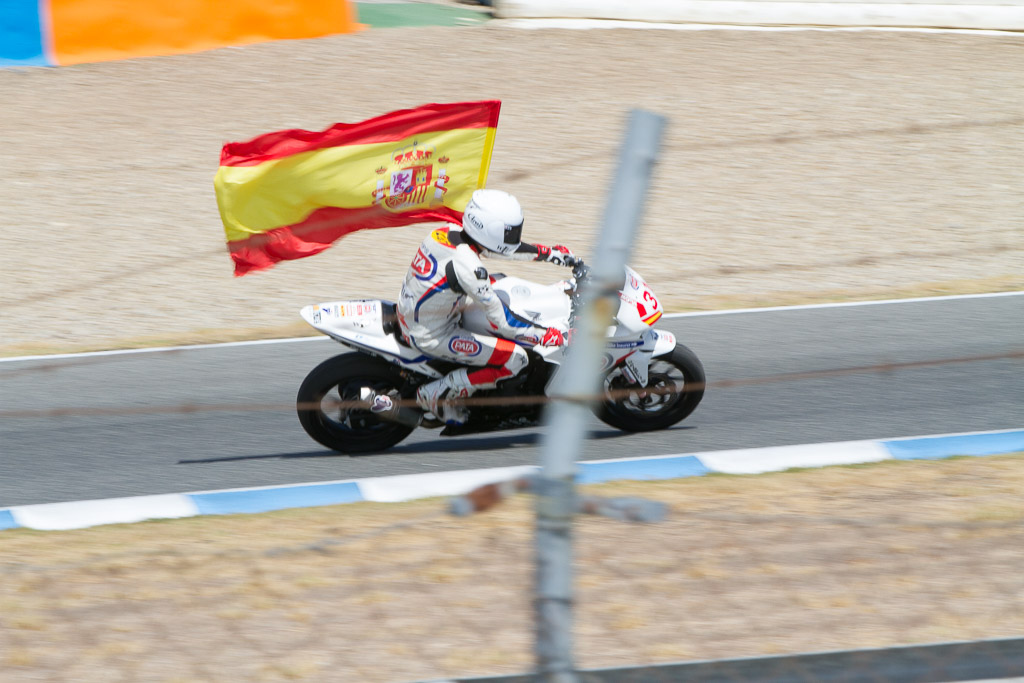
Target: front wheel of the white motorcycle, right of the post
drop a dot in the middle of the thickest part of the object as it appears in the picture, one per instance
(675, 388)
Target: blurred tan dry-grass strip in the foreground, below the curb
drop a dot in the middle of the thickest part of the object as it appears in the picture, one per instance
(835, 559)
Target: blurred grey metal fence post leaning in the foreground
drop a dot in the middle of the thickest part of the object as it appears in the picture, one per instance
(577, 383)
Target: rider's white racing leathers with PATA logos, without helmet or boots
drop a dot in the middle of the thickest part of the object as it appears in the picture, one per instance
(445, 273)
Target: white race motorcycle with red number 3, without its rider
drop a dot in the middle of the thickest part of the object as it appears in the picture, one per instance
(365, 401)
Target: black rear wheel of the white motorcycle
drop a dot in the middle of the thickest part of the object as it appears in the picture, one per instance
(326, 404)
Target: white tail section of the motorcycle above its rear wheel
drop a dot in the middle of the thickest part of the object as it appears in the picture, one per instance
(360, 324)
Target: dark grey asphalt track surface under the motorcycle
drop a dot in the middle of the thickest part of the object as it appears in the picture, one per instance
(54, 459)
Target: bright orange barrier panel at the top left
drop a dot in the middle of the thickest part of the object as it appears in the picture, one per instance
(103, 30)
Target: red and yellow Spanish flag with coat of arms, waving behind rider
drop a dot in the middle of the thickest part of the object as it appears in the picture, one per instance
(293, 193)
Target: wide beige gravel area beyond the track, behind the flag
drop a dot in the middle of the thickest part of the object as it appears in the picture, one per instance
(798, 167)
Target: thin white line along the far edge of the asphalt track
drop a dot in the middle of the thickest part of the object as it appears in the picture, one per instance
(697, 314)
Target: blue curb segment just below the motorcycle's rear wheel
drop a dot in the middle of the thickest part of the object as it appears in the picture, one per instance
(264, 500)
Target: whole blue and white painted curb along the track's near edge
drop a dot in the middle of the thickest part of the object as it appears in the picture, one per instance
(80, 515)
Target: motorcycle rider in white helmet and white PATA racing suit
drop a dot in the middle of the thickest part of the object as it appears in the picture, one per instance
(445, 274)
